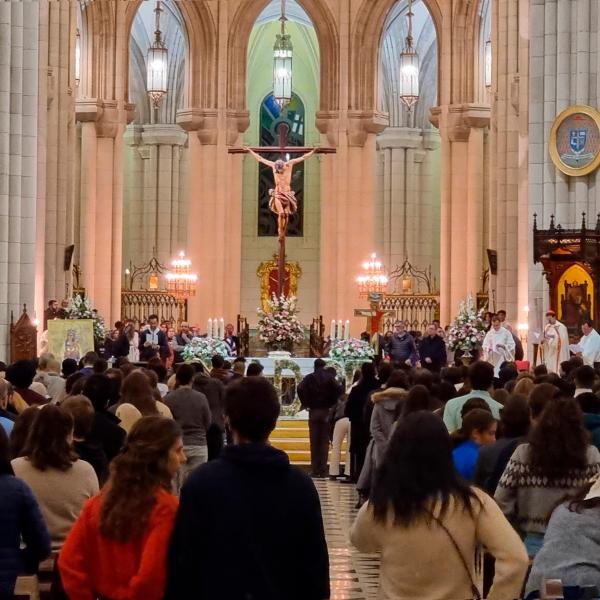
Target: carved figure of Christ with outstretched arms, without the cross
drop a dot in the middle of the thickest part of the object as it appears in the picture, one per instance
(282, 198)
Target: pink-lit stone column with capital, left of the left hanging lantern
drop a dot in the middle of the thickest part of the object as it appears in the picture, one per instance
(101, 224)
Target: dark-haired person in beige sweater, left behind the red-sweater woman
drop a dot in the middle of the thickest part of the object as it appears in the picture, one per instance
(61, 483)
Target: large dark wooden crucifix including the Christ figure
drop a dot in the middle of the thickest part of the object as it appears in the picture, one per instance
(282, 200)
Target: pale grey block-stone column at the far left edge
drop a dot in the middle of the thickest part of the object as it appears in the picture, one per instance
(19, 25)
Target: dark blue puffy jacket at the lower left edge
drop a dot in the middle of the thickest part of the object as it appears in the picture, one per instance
(20, 519)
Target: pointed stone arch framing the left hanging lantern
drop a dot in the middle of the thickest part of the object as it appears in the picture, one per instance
(200, 65)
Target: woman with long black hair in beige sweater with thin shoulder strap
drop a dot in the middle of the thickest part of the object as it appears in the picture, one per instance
(428, 522)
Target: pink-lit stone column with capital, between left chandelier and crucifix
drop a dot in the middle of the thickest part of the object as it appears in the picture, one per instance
(214, 215)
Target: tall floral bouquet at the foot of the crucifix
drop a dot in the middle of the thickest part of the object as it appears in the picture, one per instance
(280, 327)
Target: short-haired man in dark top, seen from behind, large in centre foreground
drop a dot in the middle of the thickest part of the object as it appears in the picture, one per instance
(245, 517)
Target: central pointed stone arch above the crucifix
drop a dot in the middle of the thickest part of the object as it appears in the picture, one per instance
(237, 44)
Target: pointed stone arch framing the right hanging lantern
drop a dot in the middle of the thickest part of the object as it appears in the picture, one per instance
(365, 45)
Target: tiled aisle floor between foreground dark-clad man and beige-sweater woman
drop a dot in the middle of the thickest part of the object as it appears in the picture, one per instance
(354, 576)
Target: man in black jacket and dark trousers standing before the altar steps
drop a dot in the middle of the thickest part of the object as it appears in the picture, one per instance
(318, 392)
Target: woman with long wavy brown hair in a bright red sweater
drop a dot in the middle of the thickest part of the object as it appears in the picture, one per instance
(118, 546)
